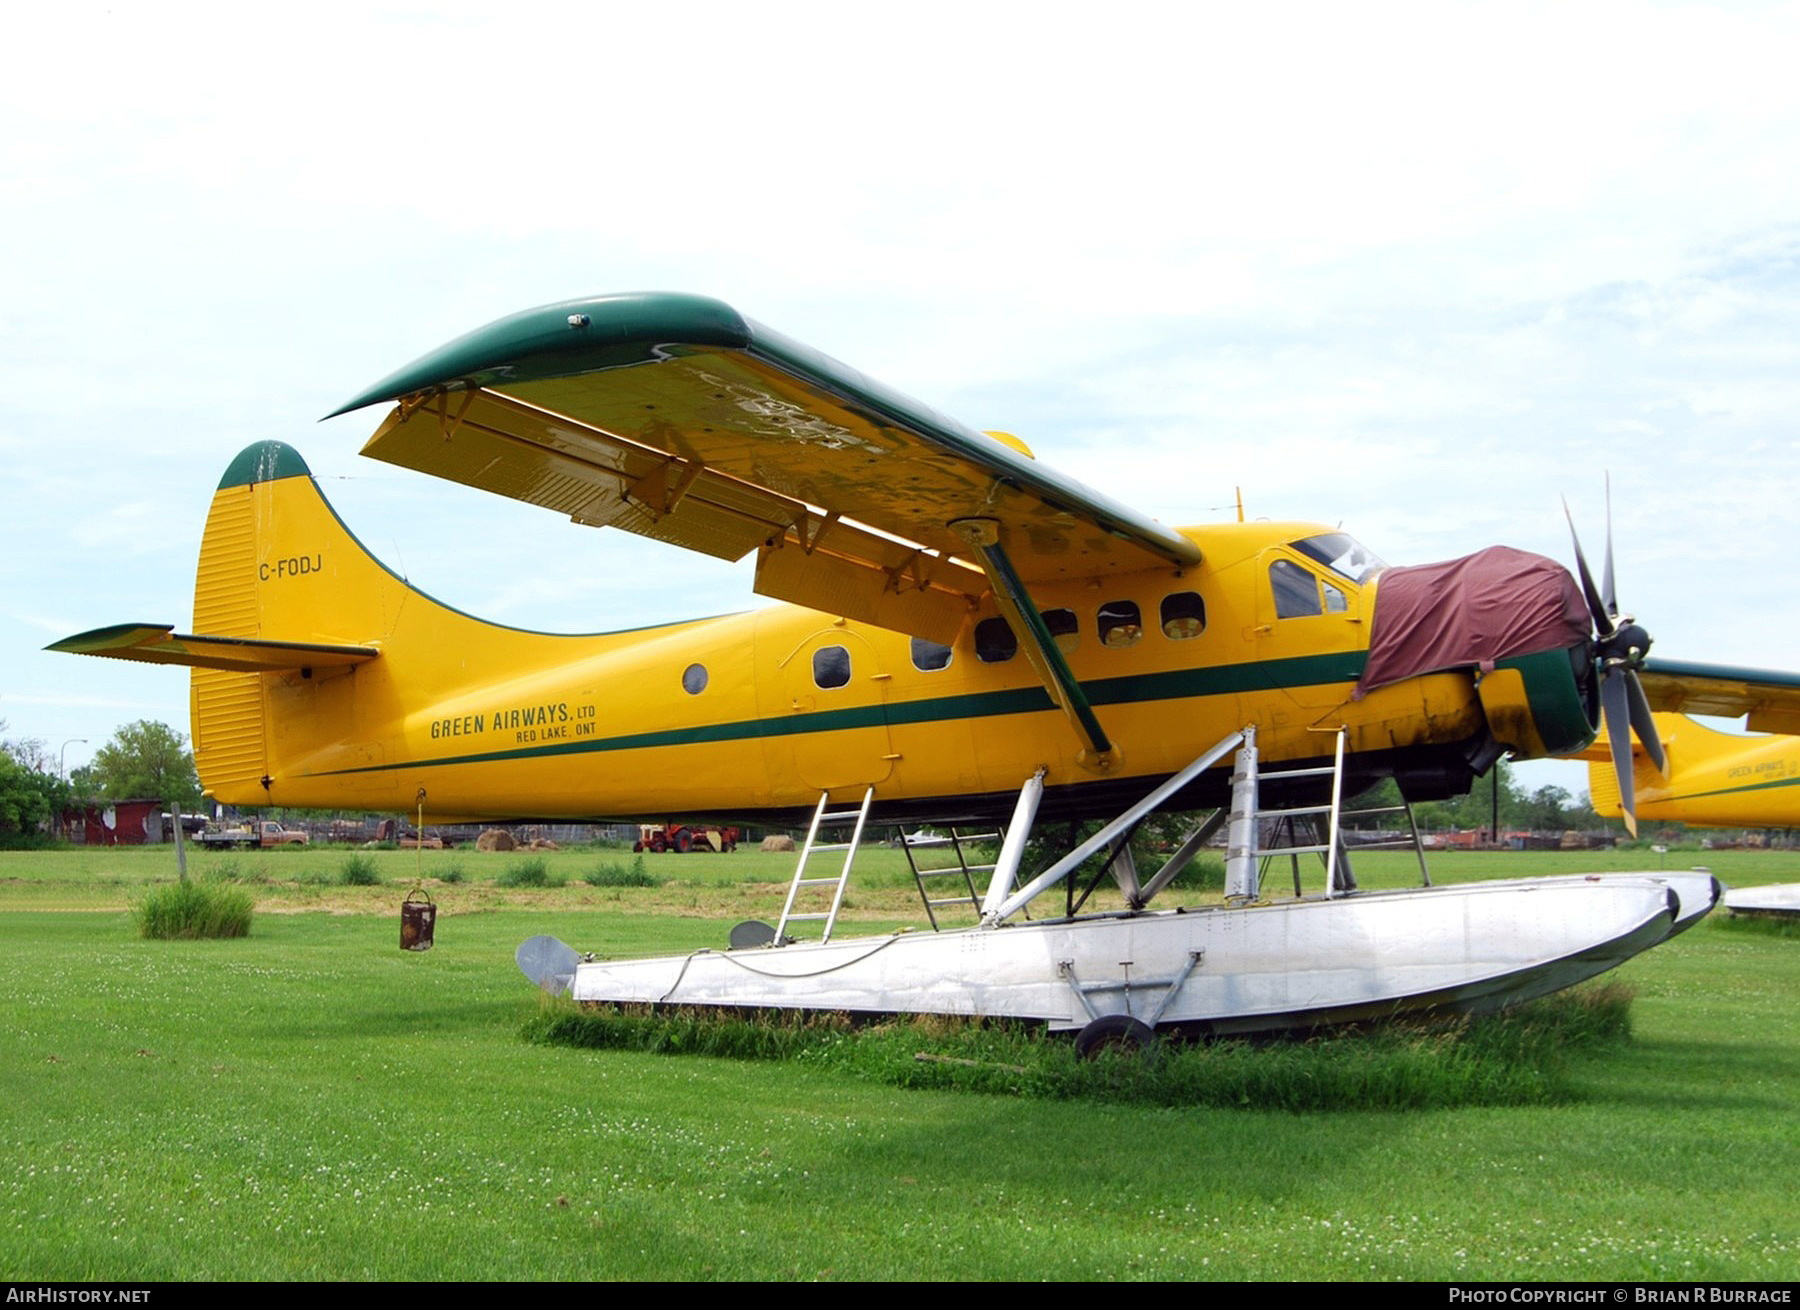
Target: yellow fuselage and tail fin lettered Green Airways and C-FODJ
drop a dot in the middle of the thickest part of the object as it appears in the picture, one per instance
(739, 713)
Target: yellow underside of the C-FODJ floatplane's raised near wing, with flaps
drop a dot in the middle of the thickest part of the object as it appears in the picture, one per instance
(724, 454)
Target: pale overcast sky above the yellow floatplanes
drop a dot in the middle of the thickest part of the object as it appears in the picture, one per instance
(1414, 269)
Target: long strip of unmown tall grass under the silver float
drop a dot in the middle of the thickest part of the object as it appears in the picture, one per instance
(1518, 1057)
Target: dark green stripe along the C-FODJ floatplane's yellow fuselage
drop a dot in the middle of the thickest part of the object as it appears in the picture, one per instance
(1178, 685)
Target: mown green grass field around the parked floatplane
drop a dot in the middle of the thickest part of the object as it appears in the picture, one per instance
(312, 1102)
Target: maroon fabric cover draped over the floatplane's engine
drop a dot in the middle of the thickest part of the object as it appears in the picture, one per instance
(1471, 611)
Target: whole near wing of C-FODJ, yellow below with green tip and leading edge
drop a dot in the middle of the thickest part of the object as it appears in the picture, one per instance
(683, 420)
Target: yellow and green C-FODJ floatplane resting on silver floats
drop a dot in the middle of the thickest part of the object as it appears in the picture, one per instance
(966, 636)
